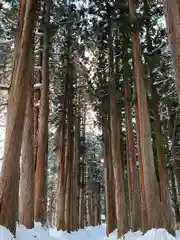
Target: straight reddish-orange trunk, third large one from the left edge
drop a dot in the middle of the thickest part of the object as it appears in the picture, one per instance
(42, 151)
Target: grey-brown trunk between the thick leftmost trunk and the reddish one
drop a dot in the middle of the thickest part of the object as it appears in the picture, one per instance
(26, 200)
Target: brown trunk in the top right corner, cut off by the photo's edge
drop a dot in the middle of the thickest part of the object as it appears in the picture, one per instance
(172, 14)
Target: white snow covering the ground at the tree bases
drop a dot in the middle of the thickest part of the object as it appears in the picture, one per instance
(95, 233)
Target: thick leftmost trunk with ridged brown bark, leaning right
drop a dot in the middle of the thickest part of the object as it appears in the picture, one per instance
(9, 182)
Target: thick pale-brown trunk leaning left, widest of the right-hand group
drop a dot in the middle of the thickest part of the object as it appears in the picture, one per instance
(150, 180)
